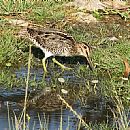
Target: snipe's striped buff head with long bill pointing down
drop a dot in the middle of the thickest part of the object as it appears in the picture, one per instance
(84, 50)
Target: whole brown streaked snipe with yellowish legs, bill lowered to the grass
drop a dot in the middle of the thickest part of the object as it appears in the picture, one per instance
(55, 43)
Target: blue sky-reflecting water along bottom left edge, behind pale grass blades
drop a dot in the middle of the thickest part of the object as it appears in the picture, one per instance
(47, 120)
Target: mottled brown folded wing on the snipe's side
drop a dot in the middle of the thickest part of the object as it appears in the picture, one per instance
(55, 43)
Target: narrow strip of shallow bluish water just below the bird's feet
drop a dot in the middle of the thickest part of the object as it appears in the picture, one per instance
(37, 74)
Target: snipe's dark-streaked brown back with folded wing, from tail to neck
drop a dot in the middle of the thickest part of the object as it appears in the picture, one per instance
(58, 43)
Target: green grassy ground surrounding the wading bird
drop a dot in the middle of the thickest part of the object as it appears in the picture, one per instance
(109, 38)
